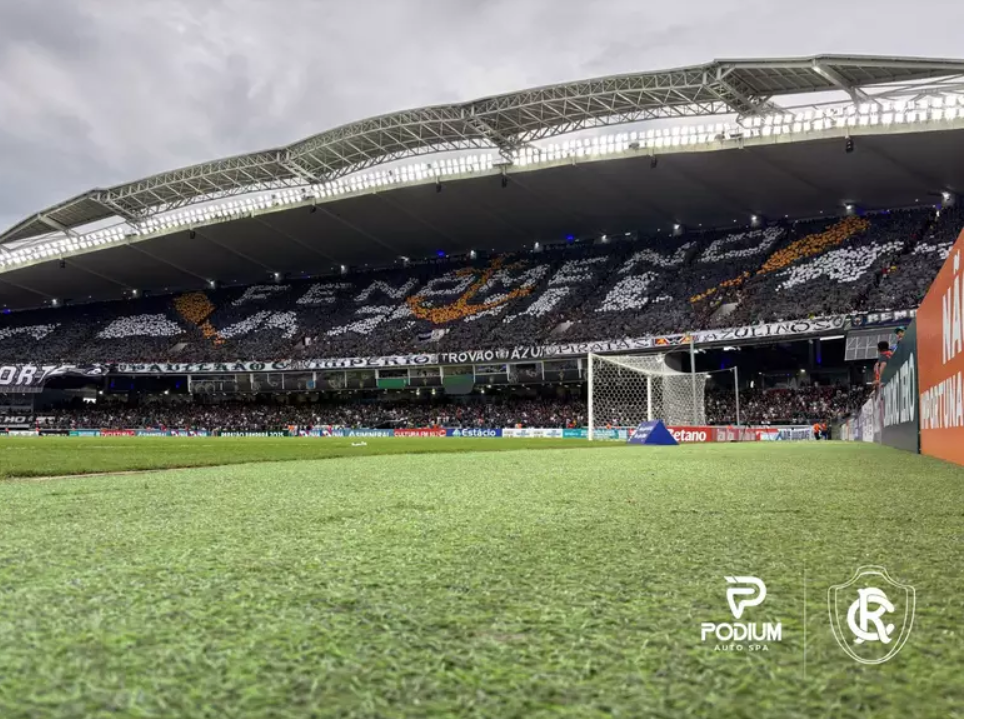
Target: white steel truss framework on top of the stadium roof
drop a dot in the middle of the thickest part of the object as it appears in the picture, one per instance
(504, 122)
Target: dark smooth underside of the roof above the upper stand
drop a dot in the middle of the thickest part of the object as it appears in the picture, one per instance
(713, 188)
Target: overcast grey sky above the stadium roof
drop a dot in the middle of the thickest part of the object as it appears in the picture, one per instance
(98, 92)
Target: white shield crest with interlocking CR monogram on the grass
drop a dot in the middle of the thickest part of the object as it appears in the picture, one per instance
(871, 615)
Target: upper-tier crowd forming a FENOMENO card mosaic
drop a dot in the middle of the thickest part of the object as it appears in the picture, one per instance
(578, 292)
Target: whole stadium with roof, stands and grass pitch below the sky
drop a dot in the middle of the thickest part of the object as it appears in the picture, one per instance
(366, 425)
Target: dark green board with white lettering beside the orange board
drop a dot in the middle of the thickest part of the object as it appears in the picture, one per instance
(899, 395)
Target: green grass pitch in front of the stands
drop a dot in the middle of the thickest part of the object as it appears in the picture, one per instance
(452, 581)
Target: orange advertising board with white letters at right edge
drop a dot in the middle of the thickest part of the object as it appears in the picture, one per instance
(940, 323)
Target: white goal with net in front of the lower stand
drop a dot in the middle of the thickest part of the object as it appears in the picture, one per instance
(625, 390)
